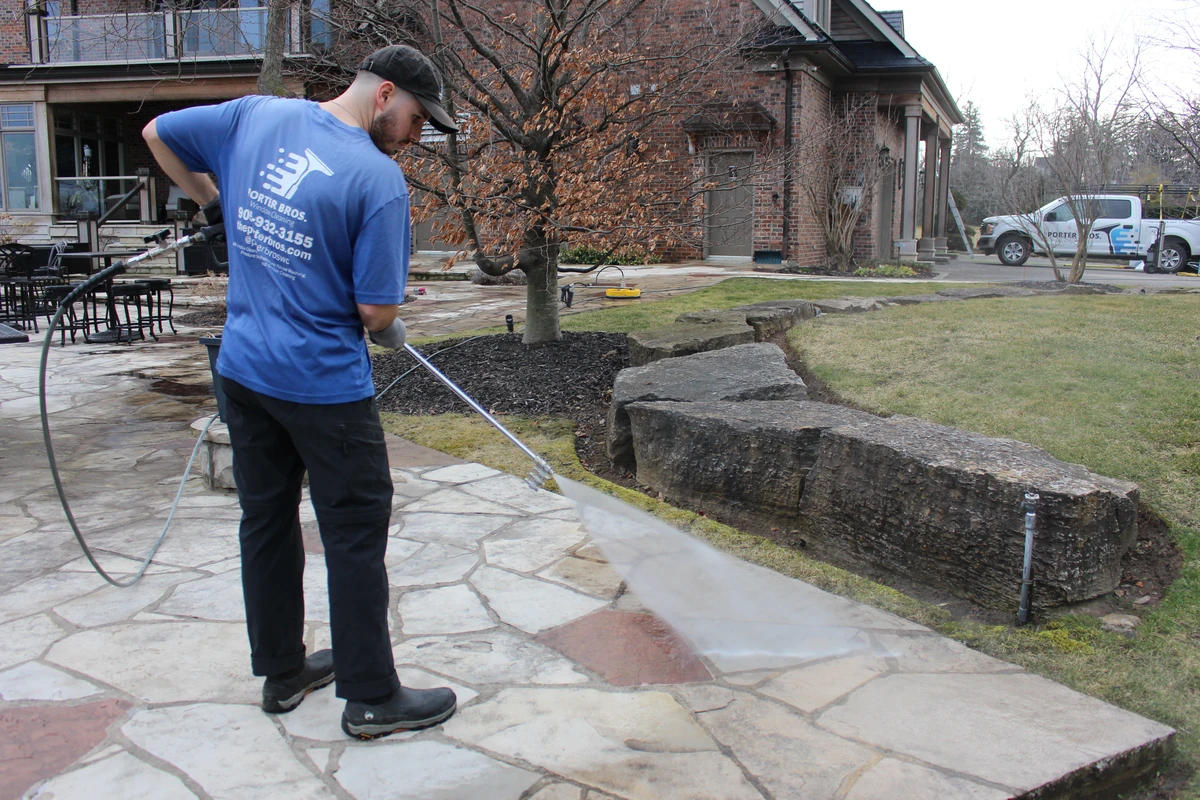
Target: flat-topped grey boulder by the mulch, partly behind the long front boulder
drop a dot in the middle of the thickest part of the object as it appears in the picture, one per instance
(739, 374)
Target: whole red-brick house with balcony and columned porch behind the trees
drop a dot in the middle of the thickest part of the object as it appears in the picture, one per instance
(82, 77)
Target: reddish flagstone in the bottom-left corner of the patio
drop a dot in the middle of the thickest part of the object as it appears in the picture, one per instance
(40, 742)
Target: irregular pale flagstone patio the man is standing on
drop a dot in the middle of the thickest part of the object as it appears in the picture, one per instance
(569, 690)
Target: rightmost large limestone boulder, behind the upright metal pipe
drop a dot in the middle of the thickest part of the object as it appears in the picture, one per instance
(944, 507)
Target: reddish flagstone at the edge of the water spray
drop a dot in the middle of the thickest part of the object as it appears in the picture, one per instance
(628, 649)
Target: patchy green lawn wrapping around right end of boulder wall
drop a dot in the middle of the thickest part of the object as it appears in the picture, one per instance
(1112, 383)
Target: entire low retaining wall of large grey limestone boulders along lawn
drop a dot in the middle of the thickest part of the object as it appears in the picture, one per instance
(932, 503)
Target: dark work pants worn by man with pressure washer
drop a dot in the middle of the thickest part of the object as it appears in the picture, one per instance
(343, 448)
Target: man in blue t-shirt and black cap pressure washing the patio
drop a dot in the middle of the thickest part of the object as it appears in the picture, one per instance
(317, 219)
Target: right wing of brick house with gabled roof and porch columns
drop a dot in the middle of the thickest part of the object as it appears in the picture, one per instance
(832, 52)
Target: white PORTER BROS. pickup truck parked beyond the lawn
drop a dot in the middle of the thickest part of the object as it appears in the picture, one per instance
(1119, 232)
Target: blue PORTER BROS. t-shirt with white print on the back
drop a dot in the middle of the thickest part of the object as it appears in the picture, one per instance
(317, 220)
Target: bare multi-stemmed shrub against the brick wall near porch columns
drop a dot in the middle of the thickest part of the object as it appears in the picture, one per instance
(838, 169)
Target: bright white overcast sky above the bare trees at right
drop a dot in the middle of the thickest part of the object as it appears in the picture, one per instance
(997, 55)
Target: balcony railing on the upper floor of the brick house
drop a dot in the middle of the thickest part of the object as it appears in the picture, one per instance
(157, 37)
